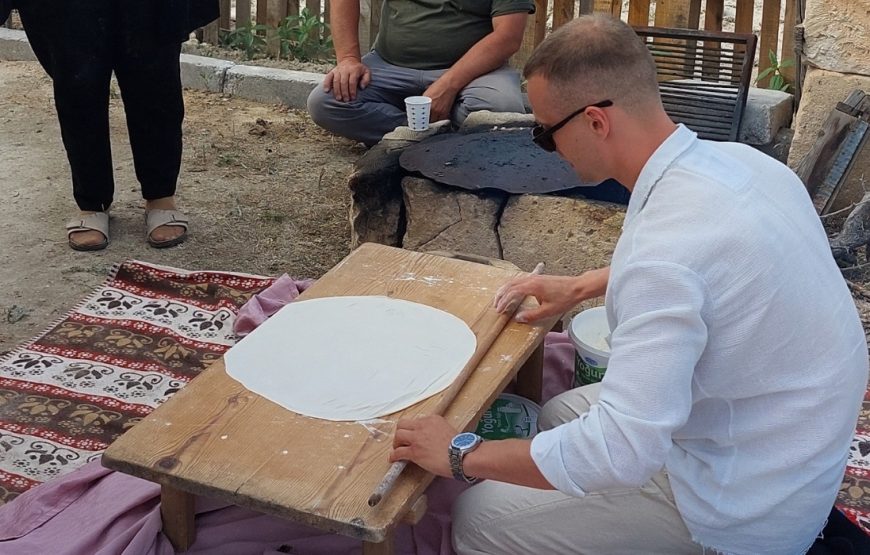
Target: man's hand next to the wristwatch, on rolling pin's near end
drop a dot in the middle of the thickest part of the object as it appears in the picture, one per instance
(425, 442)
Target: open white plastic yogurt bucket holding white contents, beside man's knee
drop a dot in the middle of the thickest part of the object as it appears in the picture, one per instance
(589, 331)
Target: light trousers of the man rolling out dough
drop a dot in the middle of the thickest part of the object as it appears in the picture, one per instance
(494, 517)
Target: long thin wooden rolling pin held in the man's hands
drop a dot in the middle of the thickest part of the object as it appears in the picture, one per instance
(492, 325)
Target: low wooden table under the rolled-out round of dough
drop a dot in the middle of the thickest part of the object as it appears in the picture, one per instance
(215, 438)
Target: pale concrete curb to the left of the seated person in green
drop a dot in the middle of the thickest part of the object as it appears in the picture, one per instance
(261, 84)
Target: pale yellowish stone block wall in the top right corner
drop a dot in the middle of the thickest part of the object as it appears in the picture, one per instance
(837, 50)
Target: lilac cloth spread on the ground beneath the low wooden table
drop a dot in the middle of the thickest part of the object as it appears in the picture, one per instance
(95, 511)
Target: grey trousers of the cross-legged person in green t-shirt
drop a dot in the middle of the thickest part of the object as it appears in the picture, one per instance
(380, 107)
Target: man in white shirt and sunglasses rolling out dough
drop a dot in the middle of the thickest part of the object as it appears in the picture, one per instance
(738, 361)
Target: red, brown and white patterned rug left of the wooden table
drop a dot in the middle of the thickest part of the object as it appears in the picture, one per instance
(140, 337)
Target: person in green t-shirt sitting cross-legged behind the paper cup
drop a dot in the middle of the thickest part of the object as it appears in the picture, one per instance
(453, 51)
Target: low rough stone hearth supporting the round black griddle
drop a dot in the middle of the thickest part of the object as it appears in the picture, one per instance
(568, 233)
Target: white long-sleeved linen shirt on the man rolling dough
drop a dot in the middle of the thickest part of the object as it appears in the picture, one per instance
(738, 360)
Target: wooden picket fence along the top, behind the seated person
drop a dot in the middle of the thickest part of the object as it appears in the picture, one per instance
(550, 14)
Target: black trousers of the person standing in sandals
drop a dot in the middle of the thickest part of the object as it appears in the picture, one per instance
(80, 43)
